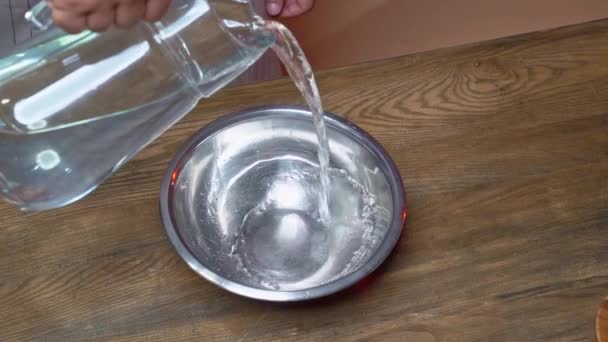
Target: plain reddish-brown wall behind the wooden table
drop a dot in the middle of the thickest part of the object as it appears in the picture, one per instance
(343, 32)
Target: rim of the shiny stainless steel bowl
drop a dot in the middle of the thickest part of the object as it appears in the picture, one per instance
(335, 122)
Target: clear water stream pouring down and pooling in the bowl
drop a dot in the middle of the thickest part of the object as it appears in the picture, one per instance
(282, 248)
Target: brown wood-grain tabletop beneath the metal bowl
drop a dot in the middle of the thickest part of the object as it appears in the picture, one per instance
(503, 147)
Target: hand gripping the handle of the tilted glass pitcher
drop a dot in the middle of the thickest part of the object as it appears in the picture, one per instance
(75, 16)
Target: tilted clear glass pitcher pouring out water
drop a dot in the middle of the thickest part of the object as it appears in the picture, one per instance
(74, 108)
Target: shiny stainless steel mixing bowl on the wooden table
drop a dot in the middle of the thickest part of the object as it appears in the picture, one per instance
(240, 204)
